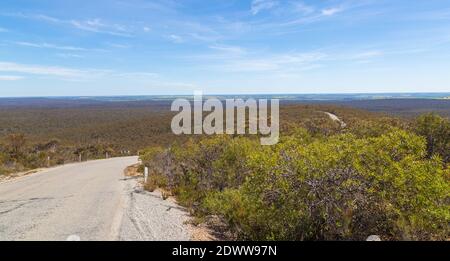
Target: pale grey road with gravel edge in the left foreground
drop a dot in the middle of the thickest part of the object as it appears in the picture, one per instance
(87, 201)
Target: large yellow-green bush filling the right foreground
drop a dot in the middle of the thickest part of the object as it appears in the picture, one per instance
(340, 188)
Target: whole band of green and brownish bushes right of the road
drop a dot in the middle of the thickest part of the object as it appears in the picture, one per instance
(380, 176)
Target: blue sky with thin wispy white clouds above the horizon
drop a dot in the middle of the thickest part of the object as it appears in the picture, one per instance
(139, 47)
